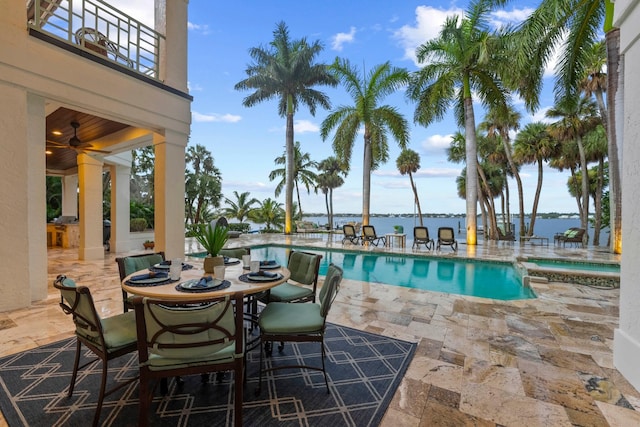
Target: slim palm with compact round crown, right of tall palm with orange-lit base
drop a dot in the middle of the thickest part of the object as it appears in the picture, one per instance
(533, 144)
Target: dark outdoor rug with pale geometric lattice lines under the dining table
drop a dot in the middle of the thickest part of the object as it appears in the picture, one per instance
(364, 371)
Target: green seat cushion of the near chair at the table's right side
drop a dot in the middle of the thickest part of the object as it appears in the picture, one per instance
(287, 318)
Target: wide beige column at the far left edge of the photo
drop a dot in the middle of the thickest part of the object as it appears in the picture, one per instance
(22, 199)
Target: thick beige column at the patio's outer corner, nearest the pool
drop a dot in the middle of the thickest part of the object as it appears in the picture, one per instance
(169, 193)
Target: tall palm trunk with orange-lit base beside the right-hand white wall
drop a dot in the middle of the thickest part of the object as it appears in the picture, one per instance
(615, 80)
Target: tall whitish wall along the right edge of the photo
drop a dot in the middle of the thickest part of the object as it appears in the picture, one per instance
(627, 337)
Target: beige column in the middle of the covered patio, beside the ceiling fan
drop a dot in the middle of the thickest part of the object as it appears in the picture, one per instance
(90, 180)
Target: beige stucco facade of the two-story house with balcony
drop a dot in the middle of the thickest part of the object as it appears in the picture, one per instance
(35, 79)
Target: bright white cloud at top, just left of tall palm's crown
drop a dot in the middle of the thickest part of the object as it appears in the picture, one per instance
(428, 23)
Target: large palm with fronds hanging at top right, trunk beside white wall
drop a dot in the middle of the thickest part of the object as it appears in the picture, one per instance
(575, 25)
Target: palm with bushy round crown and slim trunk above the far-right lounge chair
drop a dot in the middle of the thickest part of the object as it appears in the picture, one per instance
(576, 117)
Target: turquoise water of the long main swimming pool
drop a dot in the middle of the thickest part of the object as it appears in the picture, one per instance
(455, 276)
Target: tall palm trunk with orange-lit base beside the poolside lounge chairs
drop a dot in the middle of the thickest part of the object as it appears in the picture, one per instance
(472, 165)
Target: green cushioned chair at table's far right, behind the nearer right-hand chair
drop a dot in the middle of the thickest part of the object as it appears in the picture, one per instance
(304, 267)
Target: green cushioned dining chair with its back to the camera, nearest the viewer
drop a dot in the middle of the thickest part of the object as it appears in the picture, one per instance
(189, 337)
